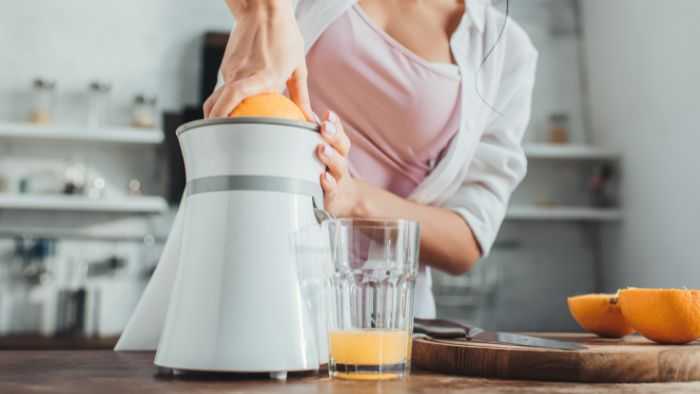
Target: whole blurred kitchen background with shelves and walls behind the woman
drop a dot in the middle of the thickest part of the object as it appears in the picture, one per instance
(90, 172)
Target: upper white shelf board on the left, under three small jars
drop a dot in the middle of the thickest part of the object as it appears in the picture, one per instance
(129, 135)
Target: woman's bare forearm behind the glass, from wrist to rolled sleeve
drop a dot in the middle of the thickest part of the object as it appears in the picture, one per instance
(447, 242)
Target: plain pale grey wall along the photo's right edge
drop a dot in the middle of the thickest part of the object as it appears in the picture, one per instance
(644, 68)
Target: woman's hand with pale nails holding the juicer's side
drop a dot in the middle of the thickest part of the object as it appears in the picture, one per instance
(342, 194)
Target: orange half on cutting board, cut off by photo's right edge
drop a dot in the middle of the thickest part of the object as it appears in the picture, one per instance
(669, 316)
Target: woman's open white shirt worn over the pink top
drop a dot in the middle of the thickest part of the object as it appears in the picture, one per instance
(485, 160)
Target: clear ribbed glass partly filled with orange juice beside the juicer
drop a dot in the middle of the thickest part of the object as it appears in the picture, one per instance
(371, 292)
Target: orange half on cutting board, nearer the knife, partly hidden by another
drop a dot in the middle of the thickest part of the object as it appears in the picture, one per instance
(600, 314)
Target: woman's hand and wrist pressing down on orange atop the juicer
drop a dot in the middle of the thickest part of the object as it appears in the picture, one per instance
(265, 51)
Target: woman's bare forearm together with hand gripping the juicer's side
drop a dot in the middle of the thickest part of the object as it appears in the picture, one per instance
(446, 240)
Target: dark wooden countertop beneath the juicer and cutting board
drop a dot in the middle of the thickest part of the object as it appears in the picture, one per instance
(105, 372)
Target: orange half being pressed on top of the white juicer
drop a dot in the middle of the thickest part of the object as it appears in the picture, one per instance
(269, 105)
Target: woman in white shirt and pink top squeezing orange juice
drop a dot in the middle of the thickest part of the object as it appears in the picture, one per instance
(425, 104)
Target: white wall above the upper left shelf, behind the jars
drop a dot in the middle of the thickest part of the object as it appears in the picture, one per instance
(148, 47)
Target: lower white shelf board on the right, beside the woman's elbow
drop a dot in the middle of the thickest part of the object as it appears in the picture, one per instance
(533, 212)
